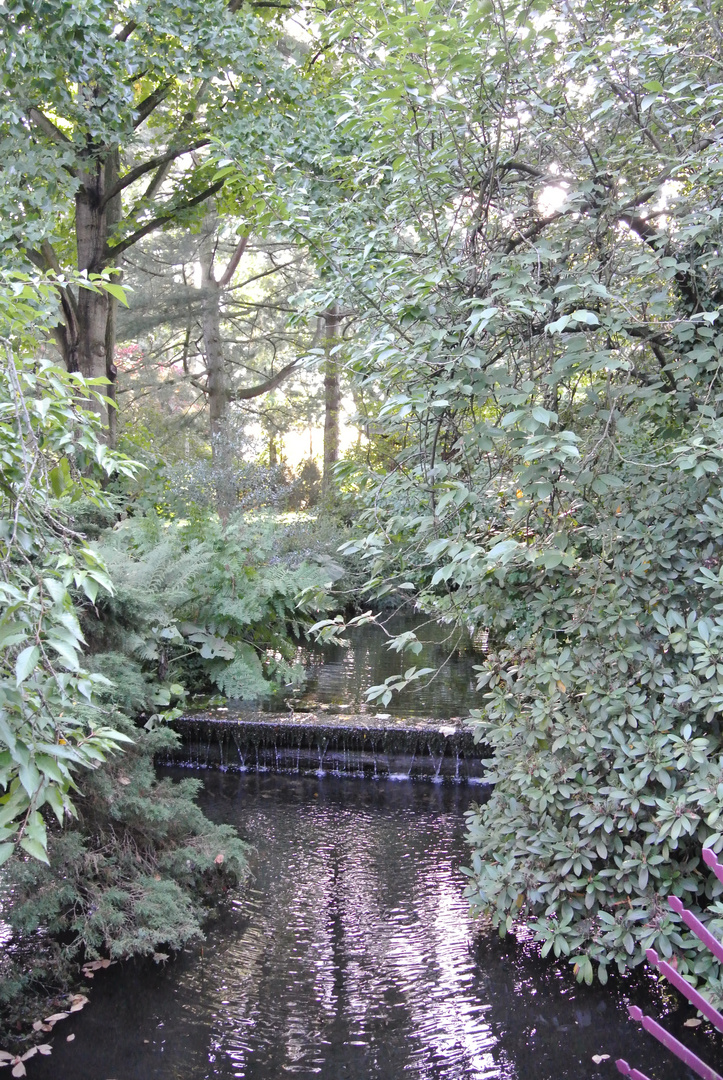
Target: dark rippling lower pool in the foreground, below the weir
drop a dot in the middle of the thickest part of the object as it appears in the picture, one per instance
(352, 956)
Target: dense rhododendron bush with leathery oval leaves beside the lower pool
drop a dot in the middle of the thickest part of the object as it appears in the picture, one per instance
(602, 711)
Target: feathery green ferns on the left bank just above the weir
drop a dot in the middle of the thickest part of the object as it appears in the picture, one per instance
(204, 609)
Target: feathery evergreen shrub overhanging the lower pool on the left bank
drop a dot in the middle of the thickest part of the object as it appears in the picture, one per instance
(135, 875)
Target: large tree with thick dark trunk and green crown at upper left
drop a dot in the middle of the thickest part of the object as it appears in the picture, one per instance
(108, 114)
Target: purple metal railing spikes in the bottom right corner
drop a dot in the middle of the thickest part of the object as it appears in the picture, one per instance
(697, 1000)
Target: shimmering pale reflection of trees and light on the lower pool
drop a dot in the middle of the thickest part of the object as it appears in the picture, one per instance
(360, 961)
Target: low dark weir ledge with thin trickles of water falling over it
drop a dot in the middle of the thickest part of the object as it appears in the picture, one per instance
(329, 742)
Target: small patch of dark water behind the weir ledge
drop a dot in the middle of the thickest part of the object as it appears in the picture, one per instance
(341, 677)
